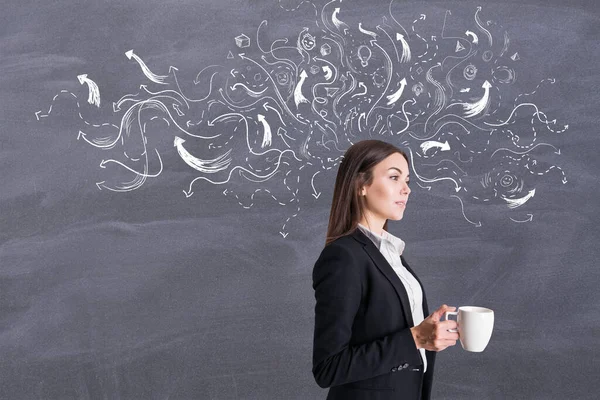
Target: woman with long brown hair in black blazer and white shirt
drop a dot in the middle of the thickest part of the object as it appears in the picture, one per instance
(371, 340)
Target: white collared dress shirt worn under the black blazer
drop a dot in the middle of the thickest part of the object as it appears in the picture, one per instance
(392, 247)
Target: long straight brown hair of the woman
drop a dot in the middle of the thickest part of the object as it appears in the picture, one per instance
(355, 171)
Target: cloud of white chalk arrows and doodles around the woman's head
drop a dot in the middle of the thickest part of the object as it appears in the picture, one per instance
(263, 116)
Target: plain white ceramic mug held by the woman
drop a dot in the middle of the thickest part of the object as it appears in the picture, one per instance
(475, 326)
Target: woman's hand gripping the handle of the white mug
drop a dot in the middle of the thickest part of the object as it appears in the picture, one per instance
(432, 334)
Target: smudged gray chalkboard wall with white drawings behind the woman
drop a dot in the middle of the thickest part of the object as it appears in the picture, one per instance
(167, 171)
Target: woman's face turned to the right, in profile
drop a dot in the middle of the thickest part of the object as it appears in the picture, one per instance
(387, 195)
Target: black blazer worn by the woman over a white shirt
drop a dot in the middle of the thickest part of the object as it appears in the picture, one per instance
(363, 347)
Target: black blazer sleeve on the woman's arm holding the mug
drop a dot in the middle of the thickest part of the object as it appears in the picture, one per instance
(338, 291)
